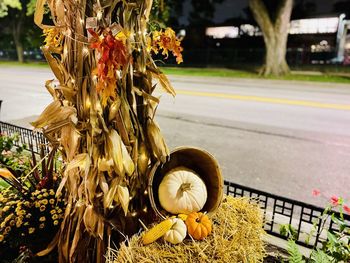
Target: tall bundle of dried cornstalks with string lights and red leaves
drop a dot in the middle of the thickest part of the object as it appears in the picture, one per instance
(101, 117)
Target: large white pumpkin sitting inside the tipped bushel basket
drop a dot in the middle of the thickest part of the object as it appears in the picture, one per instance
(182, 191)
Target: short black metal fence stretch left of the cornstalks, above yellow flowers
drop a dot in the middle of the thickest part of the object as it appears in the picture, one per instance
(26, 137)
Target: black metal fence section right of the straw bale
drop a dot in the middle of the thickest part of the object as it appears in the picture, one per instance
(278, 210)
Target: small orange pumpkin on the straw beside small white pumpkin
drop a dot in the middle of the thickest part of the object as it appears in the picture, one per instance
(198, 225)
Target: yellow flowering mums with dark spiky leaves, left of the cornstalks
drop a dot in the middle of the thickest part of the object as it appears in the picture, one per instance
(30, 210)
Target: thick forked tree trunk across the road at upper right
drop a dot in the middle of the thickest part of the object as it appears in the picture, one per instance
(275, 35)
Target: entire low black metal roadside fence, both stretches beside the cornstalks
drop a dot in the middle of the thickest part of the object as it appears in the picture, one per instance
(277, 210)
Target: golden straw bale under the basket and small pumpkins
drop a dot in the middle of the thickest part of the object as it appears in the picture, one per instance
(237, 237)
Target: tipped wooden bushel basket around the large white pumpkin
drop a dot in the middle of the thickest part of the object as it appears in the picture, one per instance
(202, 163)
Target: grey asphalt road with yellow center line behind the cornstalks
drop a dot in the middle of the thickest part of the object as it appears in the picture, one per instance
(286, 138)
